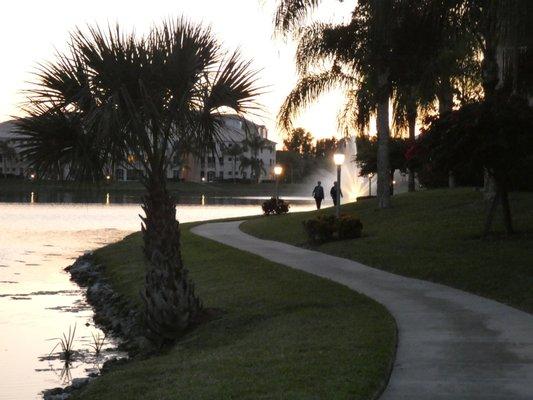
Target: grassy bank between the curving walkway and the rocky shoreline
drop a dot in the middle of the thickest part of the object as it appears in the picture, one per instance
(282, 334)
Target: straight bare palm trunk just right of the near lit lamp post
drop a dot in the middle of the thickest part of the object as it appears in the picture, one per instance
(383, 161)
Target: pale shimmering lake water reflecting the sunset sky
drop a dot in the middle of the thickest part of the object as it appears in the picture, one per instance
(39, 303)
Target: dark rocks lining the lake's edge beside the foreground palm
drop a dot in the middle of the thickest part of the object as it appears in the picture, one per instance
(112, 313)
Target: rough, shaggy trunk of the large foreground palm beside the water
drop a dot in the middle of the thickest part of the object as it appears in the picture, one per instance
(170, 302)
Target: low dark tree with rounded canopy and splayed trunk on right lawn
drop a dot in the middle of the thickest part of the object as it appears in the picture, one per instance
(494, 135)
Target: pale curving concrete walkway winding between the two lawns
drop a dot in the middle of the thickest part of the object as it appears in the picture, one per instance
(452, 345)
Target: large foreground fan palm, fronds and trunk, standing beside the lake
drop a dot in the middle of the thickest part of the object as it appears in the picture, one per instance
(138, 100)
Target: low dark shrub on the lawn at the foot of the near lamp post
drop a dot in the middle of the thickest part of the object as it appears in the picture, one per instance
(325, 228)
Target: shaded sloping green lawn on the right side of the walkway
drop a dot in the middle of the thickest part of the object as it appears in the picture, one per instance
(432, 235)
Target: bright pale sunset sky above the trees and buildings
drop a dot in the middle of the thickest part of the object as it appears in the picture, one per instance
(31, 30)
